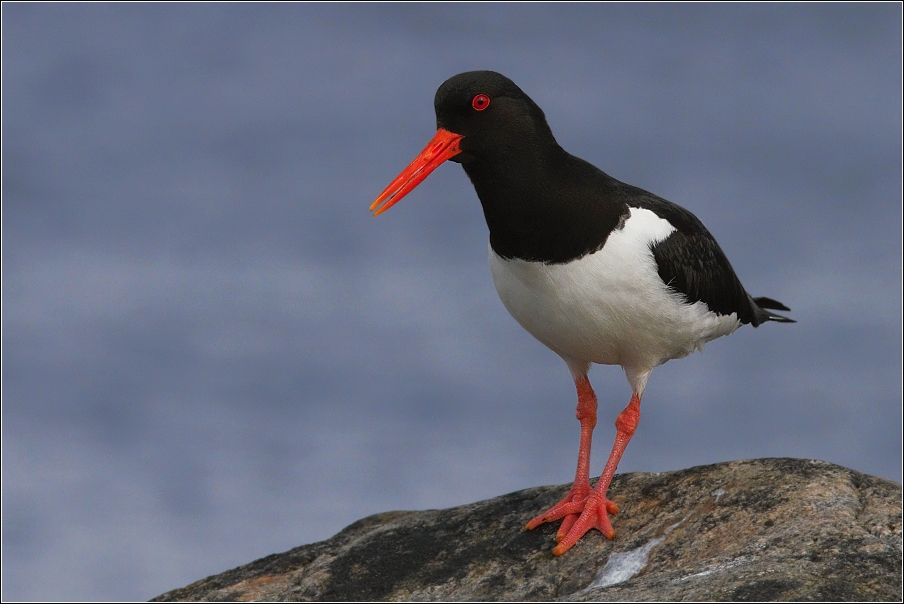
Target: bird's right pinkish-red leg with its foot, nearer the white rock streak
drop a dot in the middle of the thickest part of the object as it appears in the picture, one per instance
(597, 507)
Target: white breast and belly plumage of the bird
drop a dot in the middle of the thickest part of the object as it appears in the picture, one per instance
(610, 307)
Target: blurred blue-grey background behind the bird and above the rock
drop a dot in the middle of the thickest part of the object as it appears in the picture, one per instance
(213, 352)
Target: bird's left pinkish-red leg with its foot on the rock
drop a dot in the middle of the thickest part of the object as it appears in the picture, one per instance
(571, 506)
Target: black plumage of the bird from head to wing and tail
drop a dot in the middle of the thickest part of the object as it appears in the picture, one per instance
(543, 204)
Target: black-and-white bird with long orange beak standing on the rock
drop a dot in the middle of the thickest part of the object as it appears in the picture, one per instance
(598, 270)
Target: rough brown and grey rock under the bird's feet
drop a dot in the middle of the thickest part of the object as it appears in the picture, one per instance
(760, 530)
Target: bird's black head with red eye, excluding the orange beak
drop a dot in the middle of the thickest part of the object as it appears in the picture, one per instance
(493, 115)
